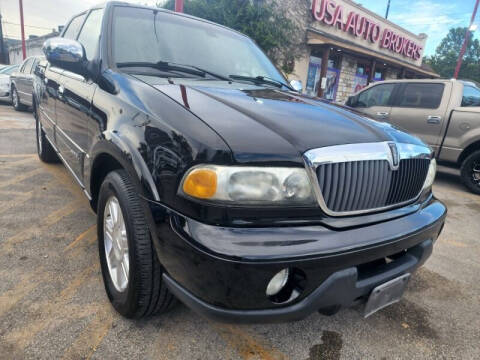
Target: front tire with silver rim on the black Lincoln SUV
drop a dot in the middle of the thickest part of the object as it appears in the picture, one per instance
(143, 294)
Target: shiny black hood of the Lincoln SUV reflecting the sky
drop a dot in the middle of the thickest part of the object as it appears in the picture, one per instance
(263, 124)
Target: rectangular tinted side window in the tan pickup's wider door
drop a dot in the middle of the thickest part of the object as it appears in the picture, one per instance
(421, 95)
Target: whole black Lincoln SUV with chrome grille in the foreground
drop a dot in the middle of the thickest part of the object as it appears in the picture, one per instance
(216, 183)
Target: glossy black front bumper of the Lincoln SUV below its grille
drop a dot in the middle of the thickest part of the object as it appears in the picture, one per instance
(223, 272)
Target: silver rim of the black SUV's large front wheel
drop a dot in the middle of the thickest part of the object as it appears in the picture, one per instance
(116, 244)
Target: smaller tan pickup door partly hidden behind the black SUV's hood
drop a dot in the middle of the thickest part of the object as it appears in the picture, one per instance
(375, 101)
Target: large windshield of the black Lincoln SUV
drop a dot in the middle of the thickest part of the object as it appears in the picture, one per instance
(144, 35)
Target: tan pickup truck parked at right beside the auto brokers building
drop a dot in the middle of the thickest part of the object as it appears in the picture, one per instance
(444, 113)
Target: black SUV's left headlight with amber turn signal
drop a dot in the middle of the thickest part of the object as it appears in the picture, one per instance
(248, 185)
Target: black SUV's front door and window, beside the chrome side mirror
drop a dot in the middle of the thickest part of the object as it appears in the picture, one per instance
(75, 97)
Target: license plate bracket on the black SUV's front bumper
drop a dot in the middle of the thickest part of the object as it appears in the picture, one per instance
(386, 294)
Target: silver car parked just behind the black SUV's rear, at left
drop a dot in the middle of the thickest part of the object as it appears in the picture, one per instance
(21, 84)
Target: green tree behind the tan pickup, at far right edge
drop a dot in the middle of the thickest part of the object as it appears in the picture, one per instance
(446, 56)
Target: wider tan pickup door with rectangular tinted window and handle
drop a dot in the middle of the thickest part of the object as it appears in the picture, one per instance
(420, 109)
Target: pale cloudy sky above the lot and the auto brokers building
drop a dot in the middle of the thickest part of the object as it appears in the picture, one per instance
(432, 17)
